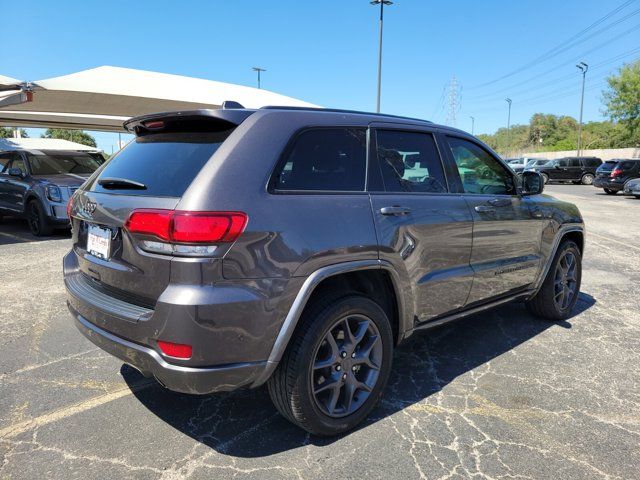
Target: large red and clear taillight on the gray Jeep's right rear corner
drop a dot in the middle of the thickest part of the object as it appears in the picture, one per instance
(186, 233)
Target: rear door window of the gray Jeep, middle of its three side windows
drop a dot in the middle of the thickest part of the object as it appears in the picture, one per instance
(410, 162)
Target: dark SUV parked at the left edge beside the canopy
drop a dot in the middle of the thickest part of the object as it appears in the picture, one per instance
(37, 184)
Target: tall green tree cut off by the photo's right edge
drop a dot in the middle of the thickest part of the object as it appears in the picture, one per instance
(622, 99)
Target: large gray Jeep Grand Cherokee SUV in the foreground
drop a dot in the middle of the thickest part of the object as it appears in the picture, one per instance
(296, 247)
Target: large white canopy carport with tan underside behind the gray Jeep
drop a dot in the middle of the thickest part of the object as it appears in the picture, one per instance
(103, 98)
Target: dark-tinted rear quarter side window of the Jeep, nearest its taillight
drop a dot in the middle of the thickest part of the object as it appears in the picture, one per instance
(325, 159)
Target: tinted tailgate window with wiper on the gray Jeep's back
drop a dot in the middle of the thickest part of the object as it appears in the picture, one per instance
(165, 163)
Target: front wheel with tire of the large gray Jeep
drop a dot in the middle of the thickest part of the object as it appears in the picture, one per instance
(545, 304)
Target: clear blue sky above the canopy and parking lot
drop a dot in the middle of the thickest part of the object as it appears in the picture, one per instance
(325, 52)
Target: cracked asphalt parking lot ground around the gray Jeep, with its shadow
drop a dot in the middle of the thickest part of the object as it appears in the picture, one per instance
(492, 396)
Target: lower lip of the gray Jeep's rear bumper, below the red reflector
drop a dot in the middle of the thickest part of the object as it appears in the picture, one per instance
(174, 377)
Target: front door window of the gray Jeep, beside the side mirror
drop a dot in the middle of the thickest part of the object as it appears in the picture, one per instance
(479, 171)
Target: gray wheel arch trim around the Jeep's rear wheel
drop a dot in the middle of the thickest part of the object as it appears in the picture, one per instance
(363, 276)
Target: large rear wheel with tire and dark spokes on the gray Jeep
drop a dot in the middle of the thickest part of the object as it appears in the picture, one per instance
(291, 387)
